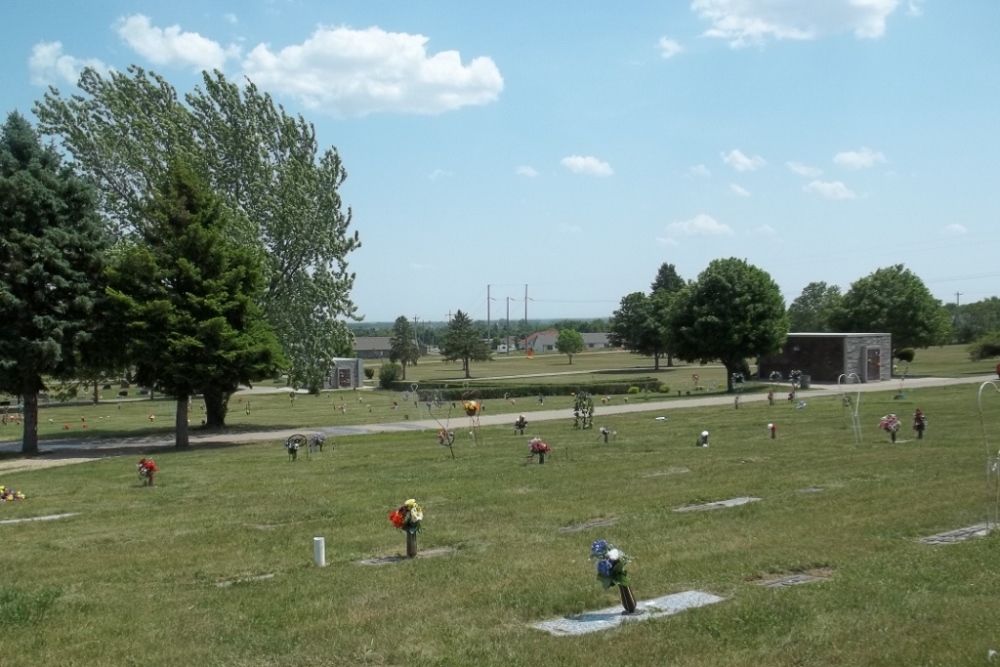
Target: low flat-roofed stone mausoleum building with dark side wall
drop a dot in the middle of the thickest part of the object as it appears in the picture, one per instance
(824, 357)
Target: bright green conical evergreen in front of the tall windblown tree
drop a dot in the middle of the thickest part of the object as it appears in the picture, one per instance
(187, 294)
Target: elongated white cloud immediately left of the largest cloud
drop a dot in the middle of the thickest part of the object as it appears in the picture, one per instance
(171, 46)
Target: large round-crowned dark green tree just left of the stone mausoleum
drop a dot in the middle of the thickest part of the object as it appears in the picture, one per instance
(733, 311)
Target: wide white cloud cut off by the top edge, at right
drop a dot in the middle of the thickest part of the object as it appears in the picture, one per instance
(743, 22)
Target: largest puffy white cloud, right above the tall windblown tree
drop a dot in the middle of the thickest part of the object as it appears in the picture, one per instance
(356, 72)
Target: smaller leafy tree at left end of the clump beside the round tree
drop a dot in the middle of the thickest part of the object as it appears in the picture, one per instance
(640, 325)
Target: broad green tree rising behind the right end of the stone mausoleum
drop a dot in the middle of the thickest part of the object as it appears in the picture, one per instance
(894, 300)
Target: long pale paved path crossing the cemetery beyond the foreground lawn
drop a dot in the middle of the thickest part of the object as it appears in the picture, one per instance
(61, 452)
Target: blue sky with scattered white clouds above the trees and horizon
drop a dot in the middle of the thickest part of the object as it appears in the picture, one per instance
(574, 147)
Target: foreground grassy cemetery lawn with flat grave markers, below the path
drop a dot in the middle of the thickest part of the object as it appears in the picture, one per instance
(134, 577)
